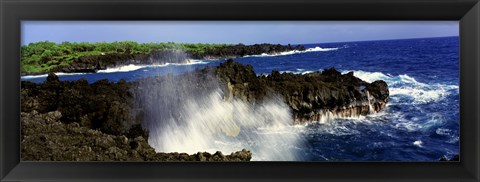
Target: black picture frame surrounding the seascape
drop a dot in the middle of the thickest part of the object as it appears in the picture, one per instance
(12, 12)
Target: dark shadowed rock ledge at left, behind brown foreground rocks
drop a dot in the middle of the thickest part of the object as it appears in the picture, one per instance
(101, 105)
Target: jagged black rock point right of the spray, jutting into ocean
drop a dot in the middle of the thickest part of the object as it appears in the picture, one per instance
(312, 97)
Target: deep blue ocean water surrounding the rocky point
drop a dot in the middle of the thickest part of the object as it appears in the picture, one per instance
(420, 123)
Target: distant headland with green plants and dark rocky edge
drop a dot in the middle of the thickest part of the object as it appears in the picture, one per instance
(44, 57)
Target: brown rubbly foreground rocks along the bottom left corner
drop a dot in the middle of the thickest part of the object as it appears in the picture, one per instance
(45, 138)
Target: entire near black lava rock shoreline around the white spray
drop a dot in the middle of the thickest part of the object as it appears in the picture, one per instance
(62, 119)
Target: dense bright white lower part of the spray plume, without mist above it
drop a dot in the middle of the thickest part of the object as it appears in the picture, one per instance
(211, 124)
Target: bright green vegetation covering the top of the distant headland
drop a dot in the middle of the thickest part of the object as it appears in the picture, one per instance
(45, 56)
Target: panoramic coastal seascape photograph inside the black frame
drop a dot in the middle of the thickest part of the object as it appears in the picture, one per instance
(160, 91)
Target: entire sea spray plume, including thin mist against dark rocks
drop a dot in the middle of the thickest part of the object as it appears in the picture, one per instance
(190, 113)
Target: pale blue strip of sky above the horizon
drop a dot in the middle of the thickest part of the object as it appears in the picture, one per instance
(232, 32)
